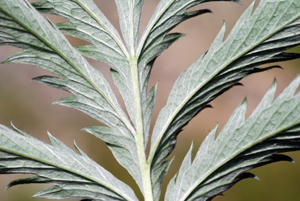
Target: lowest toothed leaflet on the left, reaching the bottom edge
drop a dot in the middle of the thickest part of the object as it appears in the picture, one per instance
(73, 175)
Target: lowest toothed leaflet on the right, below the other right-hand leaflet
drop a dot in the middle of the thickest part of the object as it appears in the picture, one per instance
(272, 128)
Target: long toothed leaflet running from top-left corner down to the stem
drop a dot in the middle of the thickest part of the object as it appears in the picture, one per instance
(45, 46)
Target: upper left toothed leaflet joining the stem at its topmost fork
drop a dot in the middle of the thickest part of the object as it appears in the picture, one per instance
(89, 23)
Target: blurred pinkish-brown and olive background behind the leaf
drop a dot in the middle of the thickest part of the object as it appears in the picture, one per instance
(28, 105)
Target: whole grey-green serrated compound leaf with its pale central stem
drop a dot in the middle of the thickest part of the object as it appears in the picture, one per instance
(259, 37)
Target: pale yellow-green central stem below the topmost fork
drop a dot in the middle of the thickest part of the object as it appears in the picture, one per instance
(145, 167)
